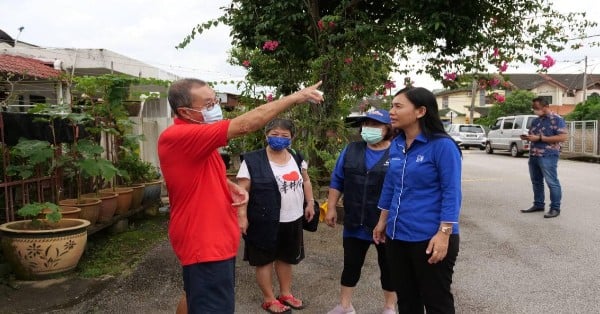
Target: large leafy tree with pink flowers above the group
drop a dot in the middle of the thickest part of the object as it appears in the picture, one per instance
(352, 46)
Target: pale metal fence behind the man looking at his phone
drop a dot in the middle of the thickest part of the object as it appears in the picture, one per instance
(583, 137)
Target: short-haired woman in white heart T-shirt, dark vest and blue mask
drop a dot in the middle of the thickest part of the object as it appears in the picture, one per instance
(277, 180)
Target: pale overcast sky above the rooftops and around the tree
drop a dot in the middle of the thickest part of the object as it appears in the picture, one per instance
(149, 31)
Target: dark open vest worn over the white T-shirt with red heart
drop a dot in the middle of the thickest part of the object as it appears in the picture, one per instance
(264, 203)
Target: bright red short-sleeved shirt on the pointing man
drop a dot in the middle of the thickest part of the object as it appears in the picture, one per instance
(203, 225)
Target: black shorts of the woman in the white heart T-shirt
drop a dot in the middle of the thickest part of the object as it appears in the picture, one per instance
(289, 249)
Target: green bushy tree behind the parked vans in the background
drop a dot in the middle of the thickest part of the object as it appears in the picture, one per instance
(517, 102)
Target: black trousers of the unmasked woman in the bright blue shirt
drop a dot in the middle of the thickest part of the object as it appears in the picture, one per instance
(419, 285)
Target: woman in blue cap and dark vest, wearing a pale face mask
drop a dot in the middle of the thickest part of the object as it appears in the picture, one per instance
(358, 175)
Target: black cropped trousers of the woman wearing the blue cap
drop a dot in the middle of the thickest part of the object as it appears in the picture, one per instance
(355, 251)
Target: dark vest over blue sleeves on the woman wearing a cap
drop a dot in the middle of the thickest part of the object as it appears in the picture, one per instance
(362, 188)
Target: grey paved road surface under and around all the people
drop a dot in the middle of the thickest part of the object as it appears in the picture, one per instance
(509, 262)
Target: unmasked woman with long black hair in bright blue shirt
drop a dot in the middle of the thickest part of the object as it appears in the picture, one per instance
(420, 205)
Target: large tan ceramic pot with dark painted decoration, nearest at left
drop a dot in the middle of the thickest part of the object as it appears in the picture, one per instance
(35, 254)
